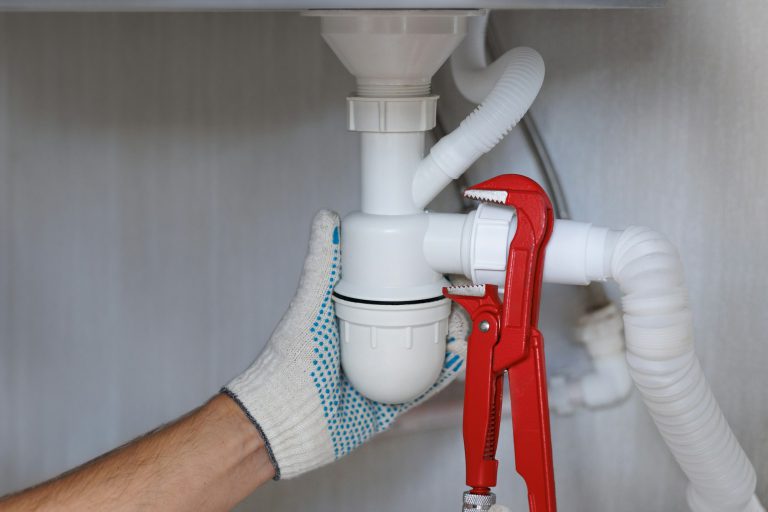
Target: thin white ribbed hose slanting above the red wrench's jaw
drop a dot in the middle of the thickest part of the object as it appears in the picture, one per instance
(502, 109)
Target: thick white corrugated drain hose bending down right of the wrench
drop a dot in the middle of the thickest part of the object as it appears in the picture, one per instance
(659, 336)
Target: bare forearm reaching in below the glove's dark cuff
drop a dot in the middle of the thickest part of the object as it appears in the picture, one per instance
(208, 460)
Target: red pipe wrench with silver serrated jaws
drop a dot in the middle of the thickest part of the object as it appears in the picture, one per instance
(505, 338)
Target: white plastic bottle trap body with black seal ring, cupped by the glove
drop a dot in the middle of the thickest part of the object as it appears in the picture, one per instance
(393, 317)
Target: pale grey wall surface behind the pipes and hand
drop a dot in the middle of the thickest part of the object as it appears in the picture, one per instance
(143, 159)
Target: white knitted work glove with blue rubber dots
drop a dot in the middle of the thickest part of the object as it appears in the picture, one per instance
(295, 394)
